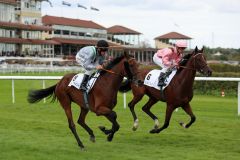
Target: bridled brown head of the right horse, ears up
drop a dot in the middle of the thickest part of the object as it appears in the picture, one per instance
(199, 62)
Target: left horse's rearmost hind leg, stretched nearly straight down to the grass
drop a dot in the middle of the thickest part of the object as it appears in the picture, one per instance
(72, 126)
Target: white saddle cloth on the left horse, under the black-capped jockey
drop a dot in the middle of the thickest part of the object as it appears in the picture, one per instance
(77, 81)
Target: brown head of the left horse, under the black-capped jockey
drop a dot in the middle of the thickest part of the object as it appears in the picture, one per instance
(131, 69)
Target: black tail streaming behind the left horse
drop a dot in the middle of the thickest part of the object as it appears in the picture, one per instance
(37, 95)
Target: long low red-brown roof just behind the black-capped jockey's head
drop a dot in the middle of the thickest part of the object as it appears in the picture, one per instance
(79, 41)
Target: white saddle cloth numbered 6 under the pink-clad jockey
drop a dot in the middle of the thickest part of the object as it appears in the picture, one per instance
(151, 79)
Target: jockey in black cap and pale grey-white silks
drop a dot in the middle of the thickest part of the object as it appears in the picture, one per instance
(91, 58)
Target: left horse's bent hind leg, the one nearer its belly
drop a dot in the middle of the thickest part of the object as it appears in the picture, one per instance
(81, 121)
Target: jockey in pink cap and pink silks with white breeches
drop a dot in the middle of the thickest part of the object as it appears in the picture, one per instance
(167, 58)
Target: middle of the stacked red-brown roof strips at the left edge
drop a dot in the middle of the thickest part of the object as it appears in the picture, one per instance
(24, 26)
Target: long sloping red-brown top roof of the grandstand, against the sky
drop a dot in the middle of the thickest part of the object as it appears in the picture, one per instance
(52, 20)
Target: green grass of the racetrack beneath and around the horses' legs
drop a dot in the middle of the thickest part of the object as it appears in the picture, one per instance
(40, 131)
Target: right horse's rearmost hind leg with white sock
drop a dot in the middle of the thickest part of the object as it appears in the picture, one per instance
(131, 106)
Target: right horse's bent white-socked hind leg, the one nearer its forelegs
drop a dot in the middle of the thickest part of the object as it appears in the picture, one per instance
(146, 108)
